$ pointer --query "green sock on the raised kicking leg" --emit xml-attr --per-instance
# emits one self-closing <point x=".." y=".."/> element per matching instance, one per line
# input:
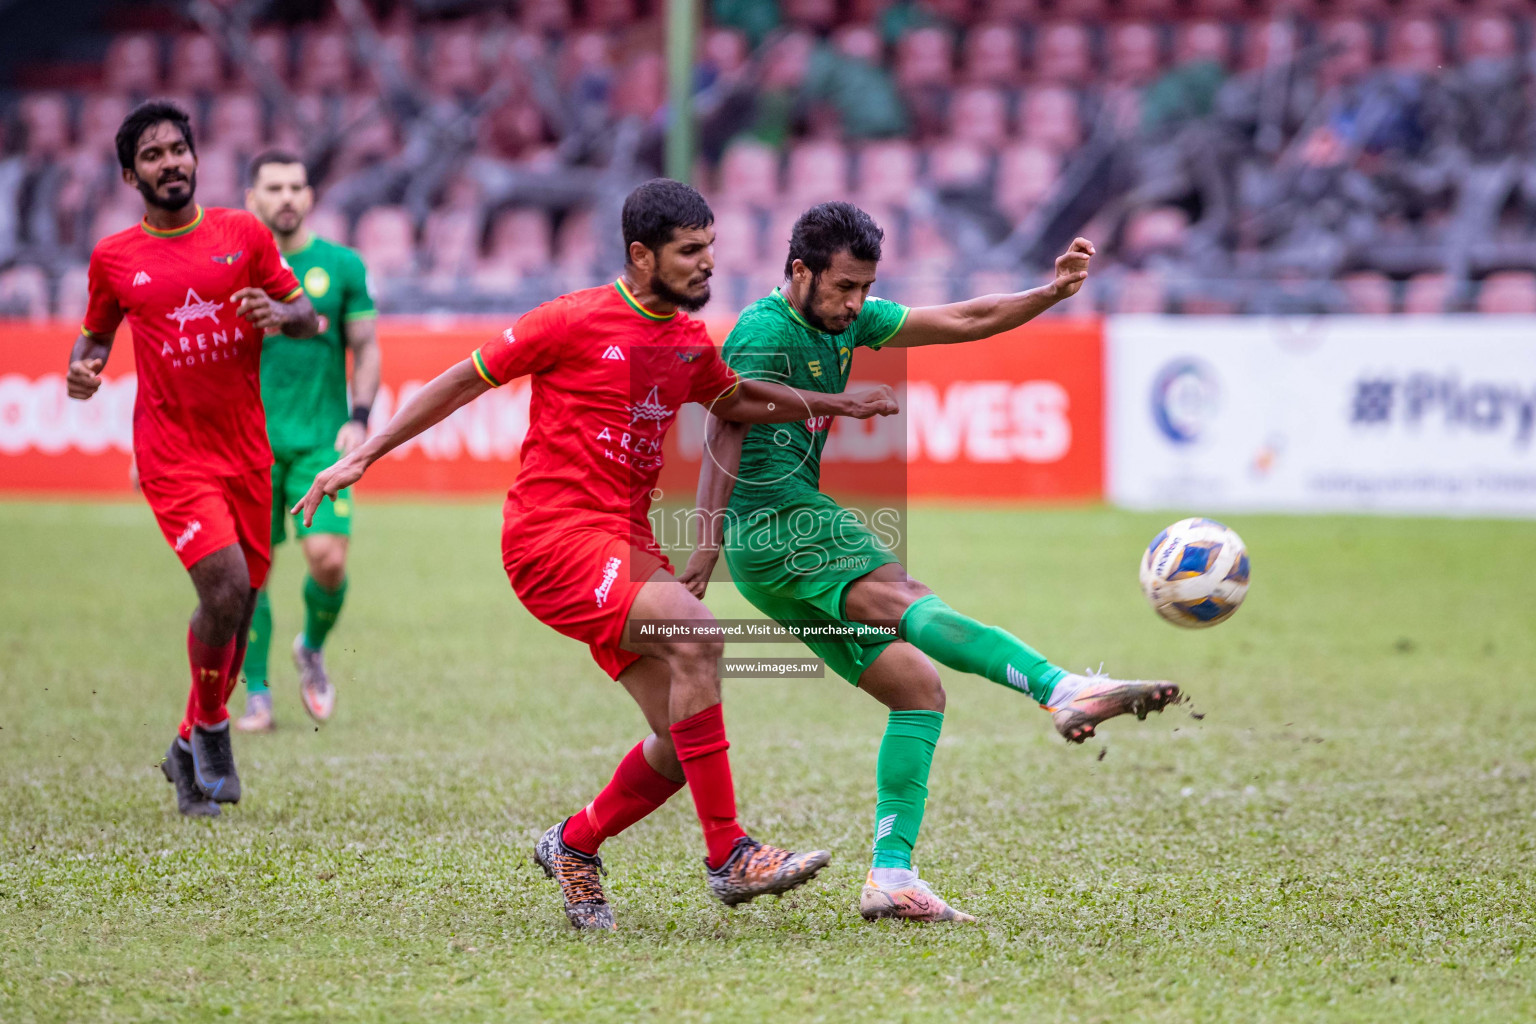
<point x="970" y="647"/>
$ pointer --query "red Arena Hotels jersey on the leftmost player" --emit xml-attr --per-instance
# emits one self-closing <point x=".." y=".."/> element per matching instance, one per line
<point x="199" y="400"/>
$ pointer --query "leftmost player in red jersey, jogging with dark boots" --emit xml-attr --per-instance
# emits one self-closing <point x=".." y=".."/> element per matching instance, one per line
<point x="199" y="288"/>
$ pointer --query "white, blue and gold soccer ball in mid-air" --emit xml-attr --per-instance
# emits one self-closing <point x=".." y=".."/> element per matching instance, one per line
<point x="1196" y="573"/>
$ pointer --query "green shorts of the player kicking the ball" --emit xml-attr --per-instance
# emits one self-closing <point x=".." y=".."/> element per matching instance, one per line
<point x="795" y="563"/>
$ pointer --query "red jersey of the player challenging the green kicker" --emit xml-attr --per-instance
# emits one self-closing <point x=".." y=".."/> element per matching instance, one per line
<point x="609" y="377"/>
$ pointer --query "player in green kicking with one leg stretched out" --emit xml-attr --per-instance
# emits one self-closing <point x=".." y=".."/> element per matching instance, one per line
<point x="798" y="555"/>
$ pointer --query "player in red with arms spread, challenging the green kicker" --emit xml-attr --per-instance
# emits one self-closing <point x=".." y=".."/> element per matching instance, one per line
<point x="611" y="369"/>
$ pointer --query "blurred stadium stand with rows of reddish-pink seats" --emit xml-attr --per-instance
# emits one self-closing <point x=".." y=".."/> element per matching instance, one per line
<point x="1226" y="156"/>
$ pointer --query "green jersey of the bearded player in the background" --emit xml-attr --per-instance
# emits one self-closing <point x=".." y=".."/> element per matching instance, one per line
<point x="305" y="380"/>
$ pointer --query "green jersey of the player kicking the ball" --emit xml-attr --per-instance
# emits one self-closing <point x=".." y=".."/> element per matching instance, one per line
<point x="770" y="342"/>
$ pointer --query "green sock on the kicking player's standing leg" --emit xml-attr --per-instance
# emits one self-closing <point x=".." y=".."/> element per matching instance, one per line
<point x="901" y="784"/>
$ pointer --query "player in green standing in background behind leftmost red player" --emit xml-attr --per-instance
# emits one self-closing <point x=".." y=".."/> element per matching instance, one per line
<point x="310" y="421"/>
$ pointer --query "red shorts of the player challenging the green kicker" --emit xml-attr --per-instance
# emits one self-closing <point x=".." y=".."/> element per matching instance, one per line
<point x="581" y="580"/>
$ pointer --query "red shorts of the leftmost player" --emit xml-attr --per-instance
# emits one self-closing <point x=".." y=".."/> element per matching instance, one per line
<point x="202" y="515"/>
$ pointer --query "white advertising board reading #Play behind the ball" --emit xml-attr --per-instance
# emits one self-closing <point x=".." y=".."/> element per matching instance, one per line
<point x="1342" y="414"/>
